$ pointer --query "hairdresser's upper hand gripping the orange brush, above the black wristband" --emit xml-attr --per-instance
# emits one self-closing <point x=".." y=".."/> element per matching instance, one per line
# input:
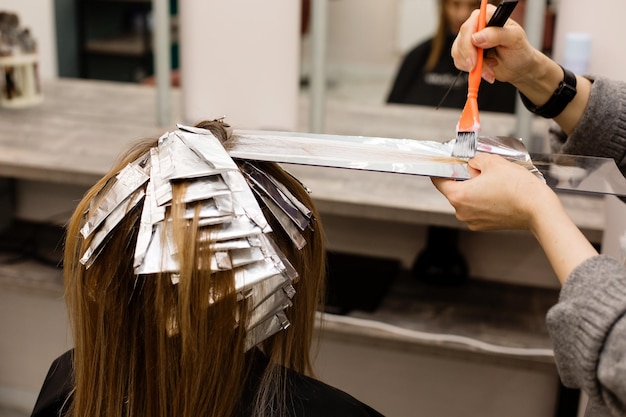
<point x="512" y="59"/>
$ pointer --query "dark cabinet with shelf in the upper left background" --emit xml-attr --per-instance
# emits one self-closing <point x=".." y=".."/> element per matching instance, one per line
<point x="115" y="39"/>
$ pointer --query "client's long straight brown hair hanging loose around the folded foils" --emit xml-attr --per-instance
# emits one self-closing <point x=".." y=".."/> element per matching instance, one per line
<point x="147" y="348"/>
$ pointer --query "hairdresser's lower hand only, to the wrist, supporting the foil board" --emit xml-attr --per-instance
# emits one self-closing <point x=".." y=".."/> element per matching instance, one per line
<point x="500" y="195"/>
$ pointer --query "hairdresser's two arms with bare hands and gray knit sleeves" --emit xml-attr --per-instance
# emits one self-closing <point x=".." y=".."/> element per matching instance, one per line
<point x="588" y="324"/>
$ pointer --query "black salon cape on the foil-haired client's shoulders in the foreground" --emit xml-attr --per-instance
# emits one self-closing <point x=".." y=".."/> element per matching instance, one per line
<point x="309" y="397"/>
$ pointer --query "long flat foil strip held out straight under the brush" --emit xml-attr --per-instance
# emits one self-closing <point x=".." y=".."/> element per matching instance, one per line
<point x="403" y="156"/>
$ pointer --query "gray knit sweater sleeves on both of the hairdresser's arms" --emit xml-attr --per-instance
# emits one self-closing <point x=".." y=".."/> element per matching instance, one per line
<point x="588" y="324"/>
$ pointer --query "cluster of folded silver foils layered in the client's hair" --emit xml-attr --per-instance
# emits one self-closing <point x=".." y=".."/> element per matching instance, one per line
<point x="222" y="197"/>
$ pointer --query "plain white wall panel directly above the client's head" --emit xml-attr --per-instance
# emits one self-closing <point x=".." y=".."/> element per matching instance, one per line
<point x="242" y="62"/>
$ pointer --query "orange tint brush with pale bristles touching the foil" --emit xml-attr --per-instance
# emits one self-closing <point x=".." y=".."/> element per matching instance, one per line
<point x="469" y="125"/>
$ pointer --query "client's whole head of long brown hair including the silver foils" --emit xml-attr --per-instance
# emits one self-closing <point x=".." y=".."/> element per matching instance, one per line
<point x="179" y="261"/>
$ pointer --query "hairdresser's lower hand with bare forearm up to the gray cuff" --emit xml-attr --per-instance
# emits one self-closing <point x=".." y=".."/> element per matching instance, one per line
<point x="503" y="195"/>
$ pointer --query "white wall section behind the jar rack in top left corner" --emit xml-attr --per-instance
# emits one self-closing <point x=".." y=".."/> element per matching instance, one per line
<point x="38" y="16"/>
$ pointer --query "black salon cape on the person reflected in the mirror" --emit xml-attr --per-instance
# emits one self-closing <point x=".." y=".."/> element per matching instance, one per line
<point x="414" y="86"/>
